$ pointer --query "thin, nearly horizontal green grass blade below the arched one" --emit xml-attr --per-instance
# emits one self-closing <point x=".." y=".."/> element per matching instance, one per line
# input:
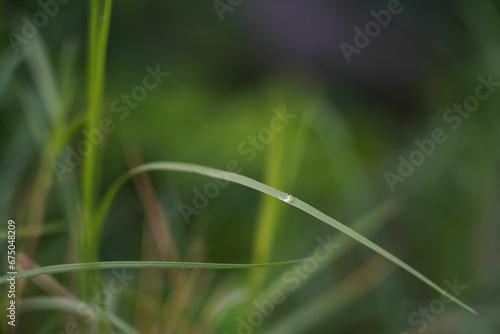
<point x="72" y="267"/>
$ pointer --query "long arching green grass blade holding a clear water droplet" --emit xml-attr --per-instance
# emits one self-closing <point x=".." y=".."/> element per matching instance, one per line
<point x="250" y="183"/>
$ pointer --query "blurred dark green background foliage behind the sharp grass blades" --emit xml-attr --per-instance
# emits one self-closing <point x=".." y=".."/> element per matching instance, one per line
<point x="226" y="78"/>
